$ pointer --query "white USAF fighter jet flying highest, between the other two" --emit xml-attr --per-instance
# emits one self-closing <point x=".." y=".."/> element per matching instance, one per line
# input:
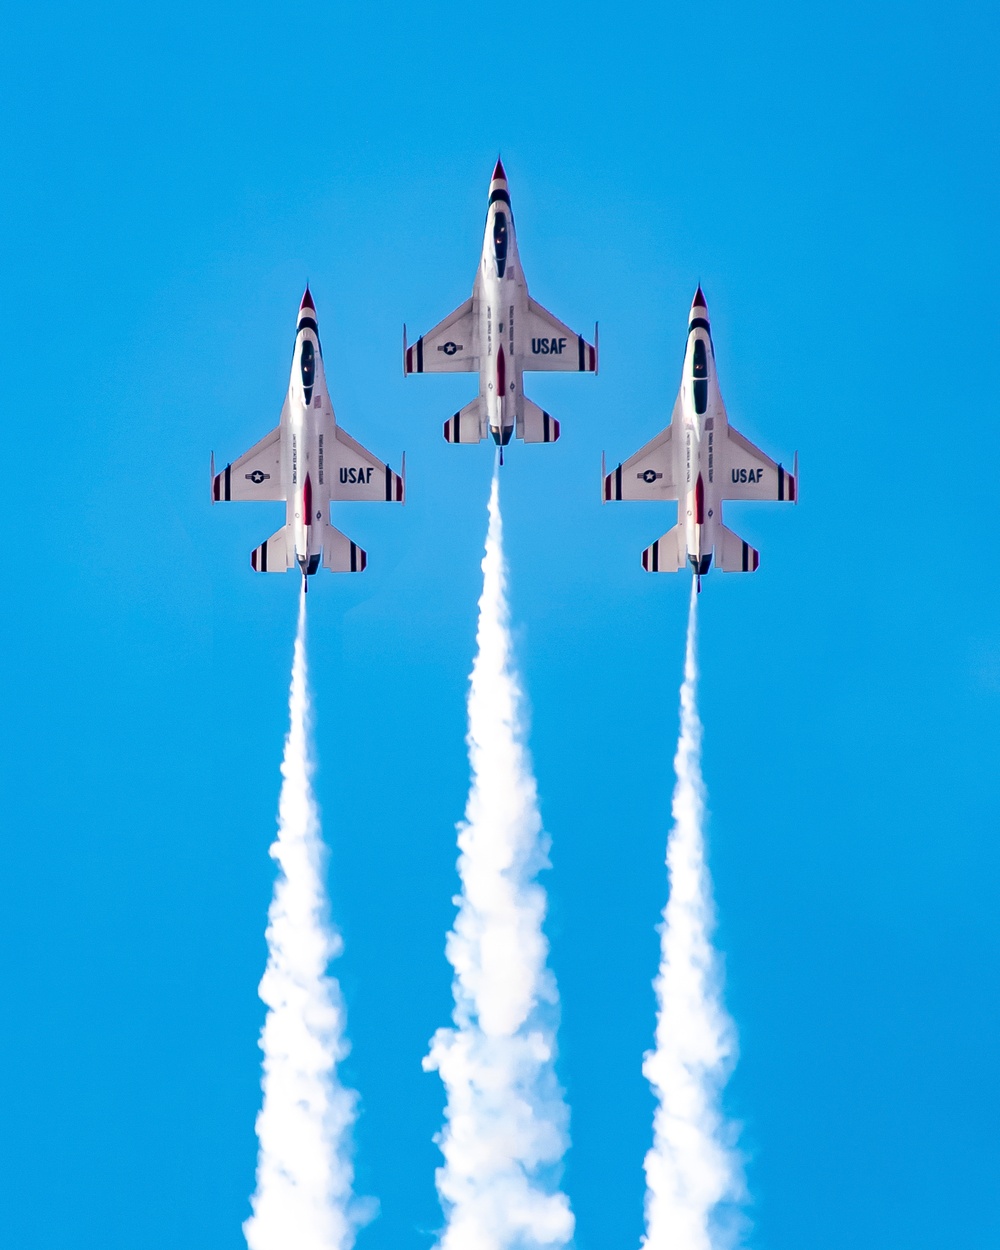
<point x="501" y="332"/>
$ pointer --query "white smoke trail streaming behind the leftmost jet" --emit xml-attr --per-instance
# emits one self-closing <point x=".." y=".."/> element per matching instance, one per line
<point x="304" y="1167"/>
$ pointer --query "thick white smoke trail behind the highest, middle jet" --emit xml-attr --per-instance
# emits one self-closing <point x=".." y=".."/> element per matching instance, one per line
<point x="506" y="1118"/>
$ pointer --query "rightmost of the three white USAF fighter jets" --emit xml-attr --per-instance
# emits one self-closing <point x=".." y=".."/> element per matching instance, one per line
<point x="701" y="461"/>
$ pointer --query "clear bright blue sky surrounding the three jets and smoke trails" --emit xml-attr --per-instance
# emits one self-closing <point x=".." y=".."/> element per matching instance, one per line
<point x="172" y="176"/>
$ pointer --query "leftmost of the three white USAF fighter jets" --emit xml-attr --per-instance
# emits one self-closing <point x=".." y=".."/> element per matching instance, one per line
<point x="307" y="462"/>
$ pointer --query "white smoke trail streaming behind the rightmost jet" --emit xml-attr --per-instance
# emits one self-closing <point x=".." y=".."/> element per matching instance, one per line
<point x="694" y="1174"/>
